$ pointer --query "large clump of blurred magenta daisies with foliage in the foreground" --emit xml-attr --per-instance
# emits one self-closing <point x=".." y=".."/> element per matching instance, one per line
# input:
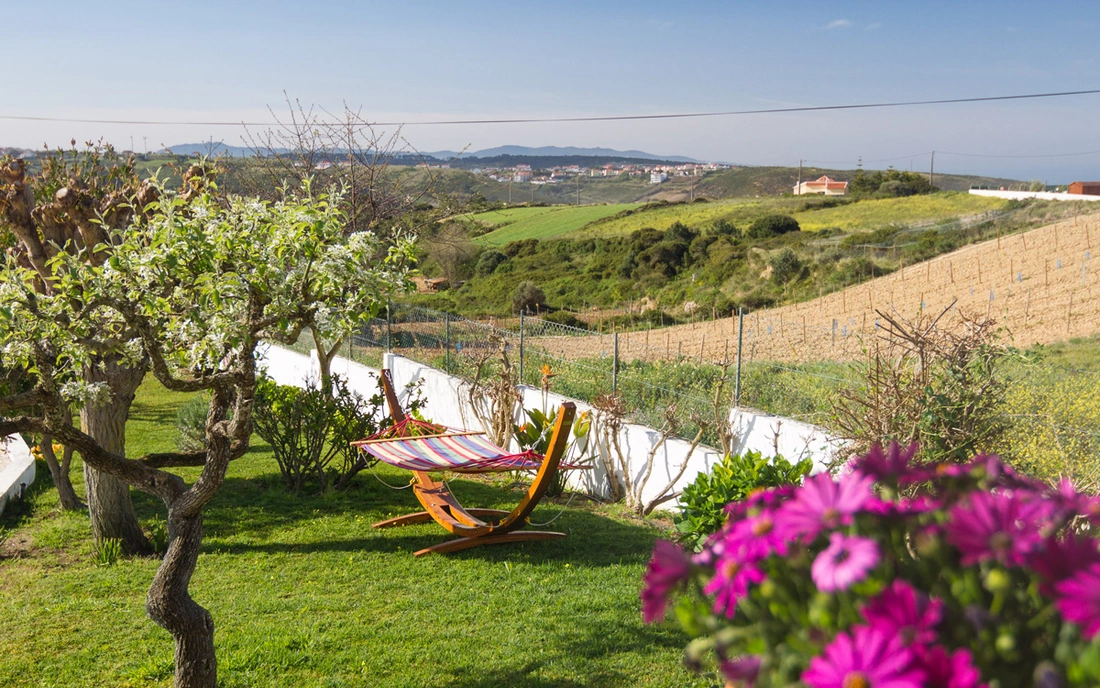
<point x="895" y="576"/>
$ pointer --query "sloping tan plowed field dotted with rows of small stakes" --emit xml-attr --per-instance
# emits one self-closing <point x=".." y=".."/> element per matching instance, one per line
<point x="1042" y="286"/>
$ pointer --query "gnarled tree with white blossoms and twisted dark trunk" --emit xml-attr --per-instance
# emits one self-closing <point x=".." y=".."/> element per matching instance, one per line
<point x="194" y="286"/>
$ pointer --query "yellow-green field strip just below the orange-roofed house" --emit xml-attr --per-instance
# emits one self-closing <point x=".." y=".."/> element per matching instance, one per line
<point x="868" y="215"/>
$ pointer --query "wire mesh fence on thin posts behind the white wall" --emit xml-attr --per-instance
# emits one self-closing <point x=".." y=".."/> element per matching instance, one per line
<point x="695" y="380"/>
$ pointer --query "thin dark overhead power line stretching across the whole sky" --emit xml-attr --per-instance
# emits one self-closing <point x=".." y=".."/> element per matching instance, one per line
<point x="613" y="118"/>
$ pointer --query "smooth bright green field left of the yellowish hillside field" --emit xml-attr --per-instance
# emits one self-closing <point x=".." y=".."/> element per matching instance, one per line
<point x="542" y="223"/>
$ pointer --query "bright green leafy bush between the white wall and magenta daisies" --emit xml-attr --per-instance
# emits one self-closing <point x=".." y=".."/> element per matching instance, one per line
<point x="703" y="503"/>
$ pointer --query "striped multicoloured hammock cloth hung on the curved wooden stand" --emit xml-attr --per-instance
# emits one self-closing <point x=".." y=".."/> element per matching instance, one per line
<point x="419" y="446"/>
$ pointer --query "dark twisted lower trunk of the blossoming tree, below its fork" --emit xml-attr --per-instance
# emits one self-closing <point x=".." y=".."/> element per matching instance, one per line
<point x="171" y="606"/>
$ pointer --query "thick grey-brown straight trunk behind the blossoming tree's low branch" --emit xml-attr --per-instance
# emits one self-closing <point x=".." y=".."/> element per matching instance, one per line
<point x="109" y="505"/>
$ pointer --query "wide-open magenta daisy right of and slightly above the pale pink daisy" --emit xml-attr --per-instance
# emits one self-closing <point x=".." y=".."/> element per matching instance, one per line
<point x="1005" y="527"/>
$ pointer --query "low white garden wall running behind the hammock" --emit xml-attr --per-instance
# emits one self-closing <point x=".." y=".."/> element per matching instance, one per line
<point x="446" y="405"/>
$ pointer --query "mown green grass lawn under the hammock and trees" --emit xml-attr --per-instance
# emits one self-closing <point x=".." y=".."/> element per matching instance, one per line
<point x="304" y="593"/>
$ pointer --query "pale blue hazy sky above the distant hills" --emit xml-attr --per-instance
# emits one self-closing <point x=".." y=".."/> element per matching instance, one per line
<point x="419" y="61"/>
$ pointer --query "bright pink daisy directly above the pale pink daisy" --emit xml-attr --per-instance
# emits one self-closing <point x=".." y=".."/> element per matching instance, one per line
<point x="823" y="504"/>
